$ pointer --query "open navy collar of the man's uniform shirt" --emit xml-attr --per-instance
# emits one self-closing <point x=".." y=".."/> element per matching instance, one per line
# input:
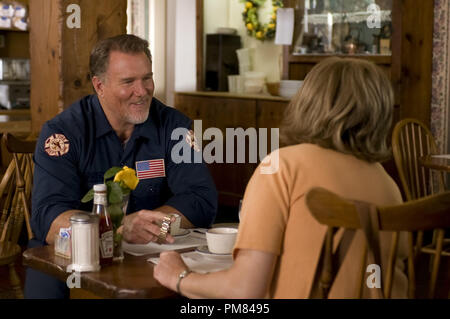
<point x="146" y="129"/>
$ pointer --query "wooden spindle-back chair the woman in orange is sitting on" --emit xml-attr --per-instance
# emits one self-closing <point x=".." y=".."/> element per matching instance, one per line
<point x="429" y="213"/>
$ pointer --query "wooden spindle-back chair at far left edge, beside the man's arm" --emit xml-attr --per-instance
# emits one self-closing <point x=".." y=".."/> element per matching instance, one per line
<point x="15" y="195"/>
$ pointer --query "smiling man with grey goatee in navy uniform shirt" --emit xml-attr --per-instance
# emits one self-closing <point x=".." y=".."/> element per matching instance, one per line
<point x="122" y="125"/>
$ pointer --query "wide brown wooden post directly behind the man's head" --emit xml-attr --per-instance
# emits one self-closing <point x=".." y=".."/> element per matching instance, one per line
<point x="60" y="55"/>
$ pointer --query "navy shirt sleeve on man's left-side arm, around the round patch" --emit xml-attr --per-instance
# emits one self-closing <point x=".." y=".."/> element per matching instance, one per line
<point x="56" y="186"/>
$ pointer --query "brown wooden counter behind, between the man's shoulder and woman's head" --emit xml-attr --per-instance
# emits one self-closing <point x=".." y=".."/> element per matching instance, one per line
<point x="224" y="110"/>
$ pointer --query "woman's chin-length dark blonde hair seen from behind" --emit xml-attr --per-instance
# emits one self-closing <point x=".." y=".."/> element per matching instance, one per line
<point x="345" y="105"/>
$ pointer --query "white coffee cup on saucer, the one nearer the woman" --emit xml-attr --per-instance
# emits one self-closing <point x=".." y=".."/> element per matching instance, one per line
<point x="221" y="240"/>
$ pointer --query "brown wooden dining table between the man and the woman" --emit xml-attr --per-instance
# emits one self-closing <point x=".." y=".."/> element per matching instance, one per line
<point x="130" y="278"/>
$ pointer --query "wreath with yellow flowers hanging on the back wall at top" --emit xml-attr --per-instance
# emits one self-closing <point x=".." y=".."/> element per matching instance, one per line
<point x="254" y="27"/>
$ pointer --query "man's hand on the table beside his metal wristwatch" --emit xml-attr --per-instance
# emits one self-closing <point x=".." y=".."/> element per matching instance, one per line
<point x="143" y="227"/>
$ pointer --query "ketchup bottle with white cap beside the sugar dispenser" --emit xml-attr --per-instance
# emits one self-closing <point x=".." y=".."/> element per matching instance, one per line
<point x="105" y="225"/>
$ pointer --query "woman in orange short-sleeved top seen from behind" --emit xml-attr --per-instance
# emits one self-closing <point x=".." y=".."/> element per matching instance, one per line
<point x="337" y="126"/>
